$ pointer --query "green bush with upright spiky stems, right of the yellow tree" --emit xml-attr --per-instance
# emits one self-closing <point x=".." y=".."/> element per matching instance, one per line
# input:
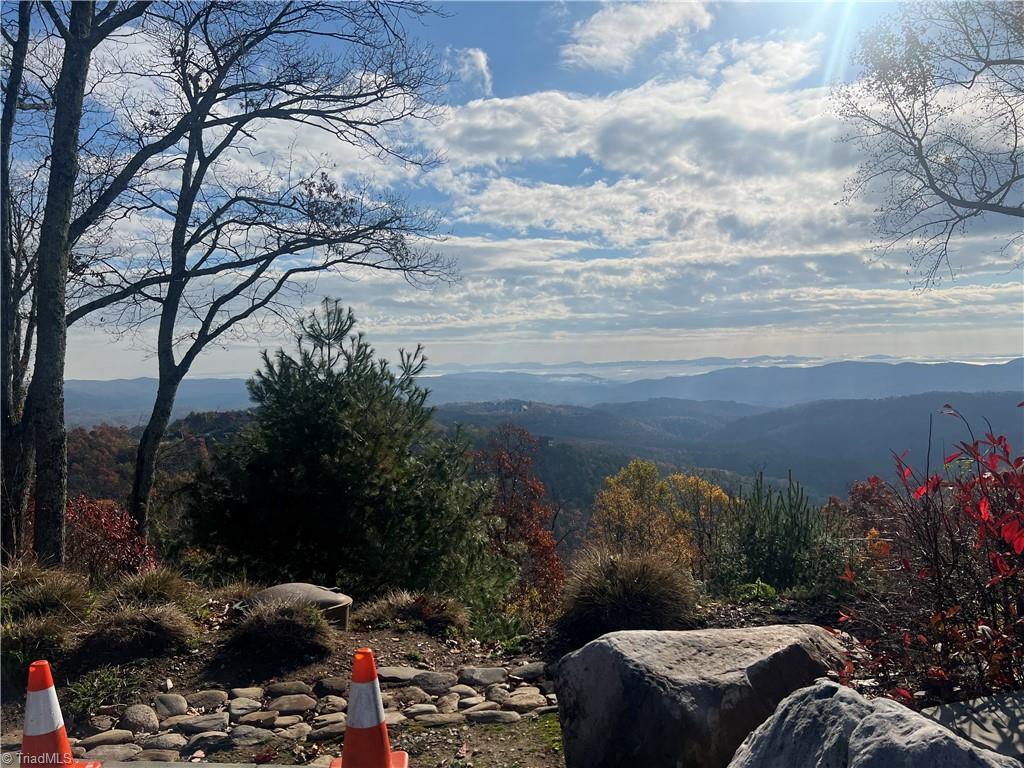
<point x="782" y="539"/>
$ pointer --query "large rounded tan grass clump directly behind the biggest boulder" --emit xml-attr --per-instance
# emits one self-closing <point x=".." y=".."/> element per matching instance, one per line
<point x="608" y="591"/>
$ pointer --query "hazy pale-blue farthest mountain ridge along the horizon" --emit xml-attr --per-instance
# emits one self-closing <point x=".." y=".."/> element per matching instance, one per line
<point x="127" y="402"/>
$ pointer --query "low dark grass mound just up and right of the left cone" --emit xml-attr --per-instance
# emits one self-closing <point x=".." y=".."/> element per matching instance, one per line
<point x="139" y="633"/>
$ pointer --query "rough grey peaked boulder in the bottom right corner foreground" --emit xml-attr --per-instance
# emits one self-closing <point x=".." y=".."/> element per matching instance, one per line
<point x="830" y="726"/>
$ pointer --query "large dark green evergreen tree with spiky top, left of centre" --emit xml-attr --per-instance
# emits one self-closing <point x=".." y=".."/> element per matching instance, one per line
<point x="342" y="479"/>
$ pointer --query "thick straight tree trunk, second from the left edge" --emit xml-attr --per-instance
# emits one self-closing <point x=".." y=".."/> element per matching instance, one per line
<point x="47" y="391"/>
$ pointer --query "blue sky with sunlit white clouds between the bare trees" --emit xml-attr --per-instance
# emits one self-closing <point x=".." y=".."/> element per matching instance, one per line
<point x="642" y="182"/>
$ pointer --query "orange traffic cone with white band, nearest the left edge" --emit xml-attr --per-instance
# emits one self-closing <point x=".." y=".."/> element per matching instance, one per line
<point x="45" y="741"/>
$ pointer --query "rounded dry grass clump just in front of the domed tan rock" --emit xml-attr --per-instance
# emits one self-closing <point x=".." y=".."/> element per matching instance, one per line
<point x="288" y="632"/>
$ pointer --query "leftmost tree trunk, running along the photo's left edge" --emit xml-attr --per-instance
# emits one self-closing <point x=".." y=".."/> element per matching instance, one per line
<point x="15" y="491"/>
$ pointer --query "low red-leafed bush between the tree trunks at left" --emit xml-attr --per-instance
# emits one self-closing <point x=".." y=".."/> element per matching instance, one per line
<point x="104" y="541"/>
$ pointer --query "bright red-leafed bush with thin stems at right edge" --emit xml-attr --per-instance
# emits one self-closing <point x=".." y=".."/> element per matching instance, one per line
<point x="945" y="612"/>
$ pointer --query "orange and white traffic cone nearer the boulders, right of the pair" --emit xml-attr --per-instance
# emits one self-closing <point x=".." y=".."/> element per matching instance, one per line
<point x="367" y="745"/>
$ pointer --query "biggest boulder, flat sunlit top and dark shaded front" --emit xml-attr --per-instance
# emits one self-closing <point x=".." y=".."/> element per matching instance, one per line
<point x="682" y="700"/>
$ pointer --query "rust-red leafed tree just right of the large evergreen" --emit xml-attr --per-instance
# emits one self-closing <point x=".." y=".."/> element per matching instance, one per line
<point x="525" y="517"/>
